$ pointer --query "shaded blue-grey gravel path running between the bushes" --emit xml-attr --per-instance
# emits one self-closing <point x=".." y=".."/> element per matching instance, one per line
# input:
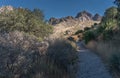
<point x="90" y="65"/>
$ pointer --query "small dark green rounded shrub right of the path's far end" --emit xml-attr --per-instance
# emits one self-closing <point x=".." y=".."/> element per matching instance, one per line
<point x="89" y="35"/>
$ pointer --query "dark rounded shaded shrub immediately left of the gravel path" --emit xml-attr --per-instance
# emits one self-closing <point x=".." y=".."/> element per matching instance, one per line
<point x="61" y="54"/>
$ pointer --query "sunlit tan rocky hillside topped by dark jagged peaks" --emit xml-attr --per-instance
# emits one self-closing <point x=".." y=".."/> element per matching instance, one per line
<point x="80" y="21"/>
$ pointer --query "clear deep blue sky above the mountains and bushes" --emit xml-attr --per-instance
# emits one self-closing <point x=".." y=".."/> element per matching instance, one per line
<point x="62" y="8"/>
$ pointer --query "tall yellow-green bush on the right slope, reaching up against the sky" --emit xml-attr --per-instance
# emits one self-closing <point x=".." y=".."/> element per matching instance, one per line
<point x="108" y="24"/>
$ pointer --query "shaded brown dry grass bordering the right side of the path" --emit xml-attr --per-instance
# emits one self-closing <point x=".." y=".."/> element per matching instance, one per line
<point x="109" y="52"/>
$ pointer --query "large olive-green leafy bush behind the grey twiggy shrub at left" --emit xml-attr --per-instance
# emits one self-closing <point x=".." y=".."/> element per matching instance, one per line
<point x="25" y="20"/>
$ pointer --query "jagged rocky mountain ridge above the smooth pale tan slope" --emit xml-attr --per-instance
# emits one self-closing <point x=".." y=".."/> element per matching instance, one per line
<point x="80" y="17"/>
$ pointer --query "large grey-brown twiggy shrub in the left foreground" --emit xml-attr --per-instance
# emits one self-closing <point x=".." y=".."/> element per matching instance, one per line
<point x="19" y="53"/>
